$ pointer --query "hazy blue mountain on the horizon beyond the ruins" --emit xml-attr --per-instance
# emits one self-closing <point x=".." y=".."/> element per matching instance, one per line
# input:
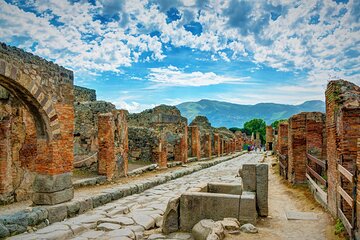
<point x="235" y="115"/>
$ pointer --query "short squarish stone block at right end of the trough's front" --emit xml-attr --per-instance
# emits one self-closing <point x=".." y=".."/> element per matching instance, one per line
<point x="247" y="211"/>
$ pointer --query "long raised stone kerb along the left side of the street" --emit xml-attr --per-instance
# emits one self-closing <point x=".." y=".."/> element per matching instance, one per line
<point x="33" y="218"/>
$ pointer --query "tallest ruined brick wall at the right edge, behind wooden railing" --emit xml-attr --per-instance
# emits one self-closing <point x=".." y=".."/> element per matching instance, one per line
<point x="342" y="128"/>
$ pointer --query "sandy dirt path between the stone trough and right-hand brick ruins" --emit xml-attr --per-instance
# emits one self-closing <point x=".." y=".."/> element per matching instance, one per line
<point x="284" y="197"/>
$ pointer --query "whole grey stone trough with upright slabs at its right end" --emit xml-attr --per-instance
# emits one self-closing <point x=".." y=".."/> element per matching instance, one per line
<point x="245" y="198"/>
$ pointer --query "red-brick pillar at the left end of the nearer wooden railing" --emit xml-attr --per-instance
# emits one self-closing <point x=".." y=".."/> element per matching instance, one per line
<point x="297" y="149"/>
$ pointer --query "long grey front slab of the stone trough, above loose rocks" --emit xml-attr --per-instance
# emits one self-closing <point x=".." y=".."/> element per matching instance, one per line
<point x="195" y="206"/>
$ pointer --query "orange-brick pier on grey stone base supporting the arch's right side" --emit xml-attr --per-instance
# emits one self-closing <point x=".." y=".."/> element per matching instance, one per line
<point x="55" y="158"/>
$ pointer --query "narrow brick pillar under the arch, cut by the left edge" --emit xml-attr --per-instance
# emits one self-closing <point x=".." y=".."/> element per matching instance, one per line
<point x="5" y="160"/>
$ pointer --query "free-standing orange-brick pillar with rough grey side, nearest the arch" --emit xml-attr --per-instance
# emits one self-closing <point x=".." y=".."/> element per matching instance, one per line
<point x="113" y="144"/>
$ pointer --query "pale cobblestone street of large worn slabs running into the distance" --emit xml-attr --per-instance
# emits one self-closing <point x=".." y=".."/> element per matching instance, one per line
<point x="130" y="217"/>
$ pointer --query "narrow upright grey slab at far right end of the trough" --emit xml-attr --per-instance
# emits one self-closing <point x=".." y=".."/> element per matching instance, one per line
<point x="262" y="171"/>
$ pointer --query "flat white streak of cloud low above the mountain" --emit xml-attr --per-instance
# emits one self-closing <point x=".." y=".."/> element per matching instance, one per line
<point x="172" y="76"/>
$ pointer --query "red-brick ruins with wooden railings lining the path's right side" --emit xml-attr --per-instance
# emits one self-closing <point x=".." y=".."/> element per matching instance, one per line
<point x="323" y="151"/>
